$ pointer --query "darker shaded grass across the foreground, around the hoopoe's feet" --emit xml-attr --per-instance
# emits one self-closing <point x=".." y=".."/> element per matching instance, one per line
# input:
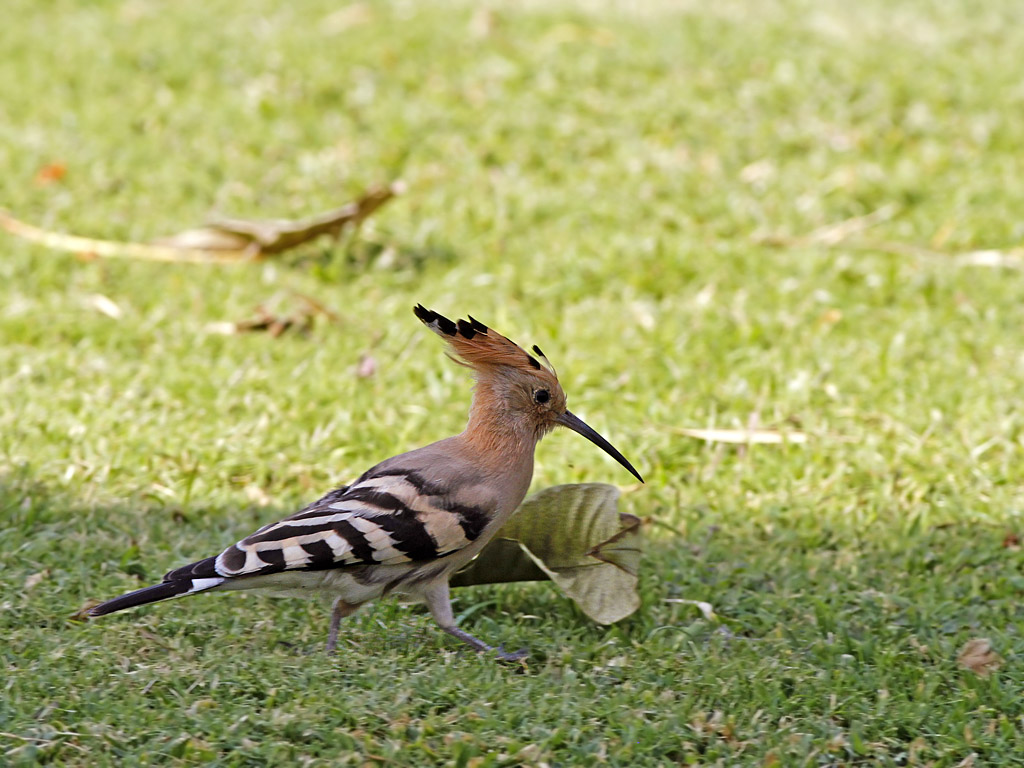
<point x="813" y="638"/>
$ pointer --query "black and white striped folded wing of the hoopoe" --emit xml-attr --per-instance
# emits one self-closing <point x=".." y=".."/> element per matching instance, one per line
<point x="383" y="519"/>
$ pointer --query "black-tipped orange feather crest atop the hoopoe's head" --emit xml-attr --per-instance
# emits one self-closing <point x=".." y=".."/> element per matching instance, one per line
<point x="481" y="348"/>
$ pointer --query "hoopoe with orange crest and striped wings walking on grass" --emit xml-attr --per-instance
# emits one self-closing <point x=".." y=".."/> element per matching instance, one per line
<point x="406" y="526"/>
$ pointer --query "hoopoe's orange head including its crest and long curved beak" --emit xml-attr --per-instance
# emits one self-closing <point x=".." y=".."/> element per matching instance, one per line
<point x="514" y="386"/>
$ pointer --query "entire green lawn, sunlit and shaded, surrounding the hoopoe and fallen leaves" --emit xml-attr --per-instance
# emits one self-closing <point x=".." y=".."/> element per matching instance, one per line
<point x="589" y="178"/>
